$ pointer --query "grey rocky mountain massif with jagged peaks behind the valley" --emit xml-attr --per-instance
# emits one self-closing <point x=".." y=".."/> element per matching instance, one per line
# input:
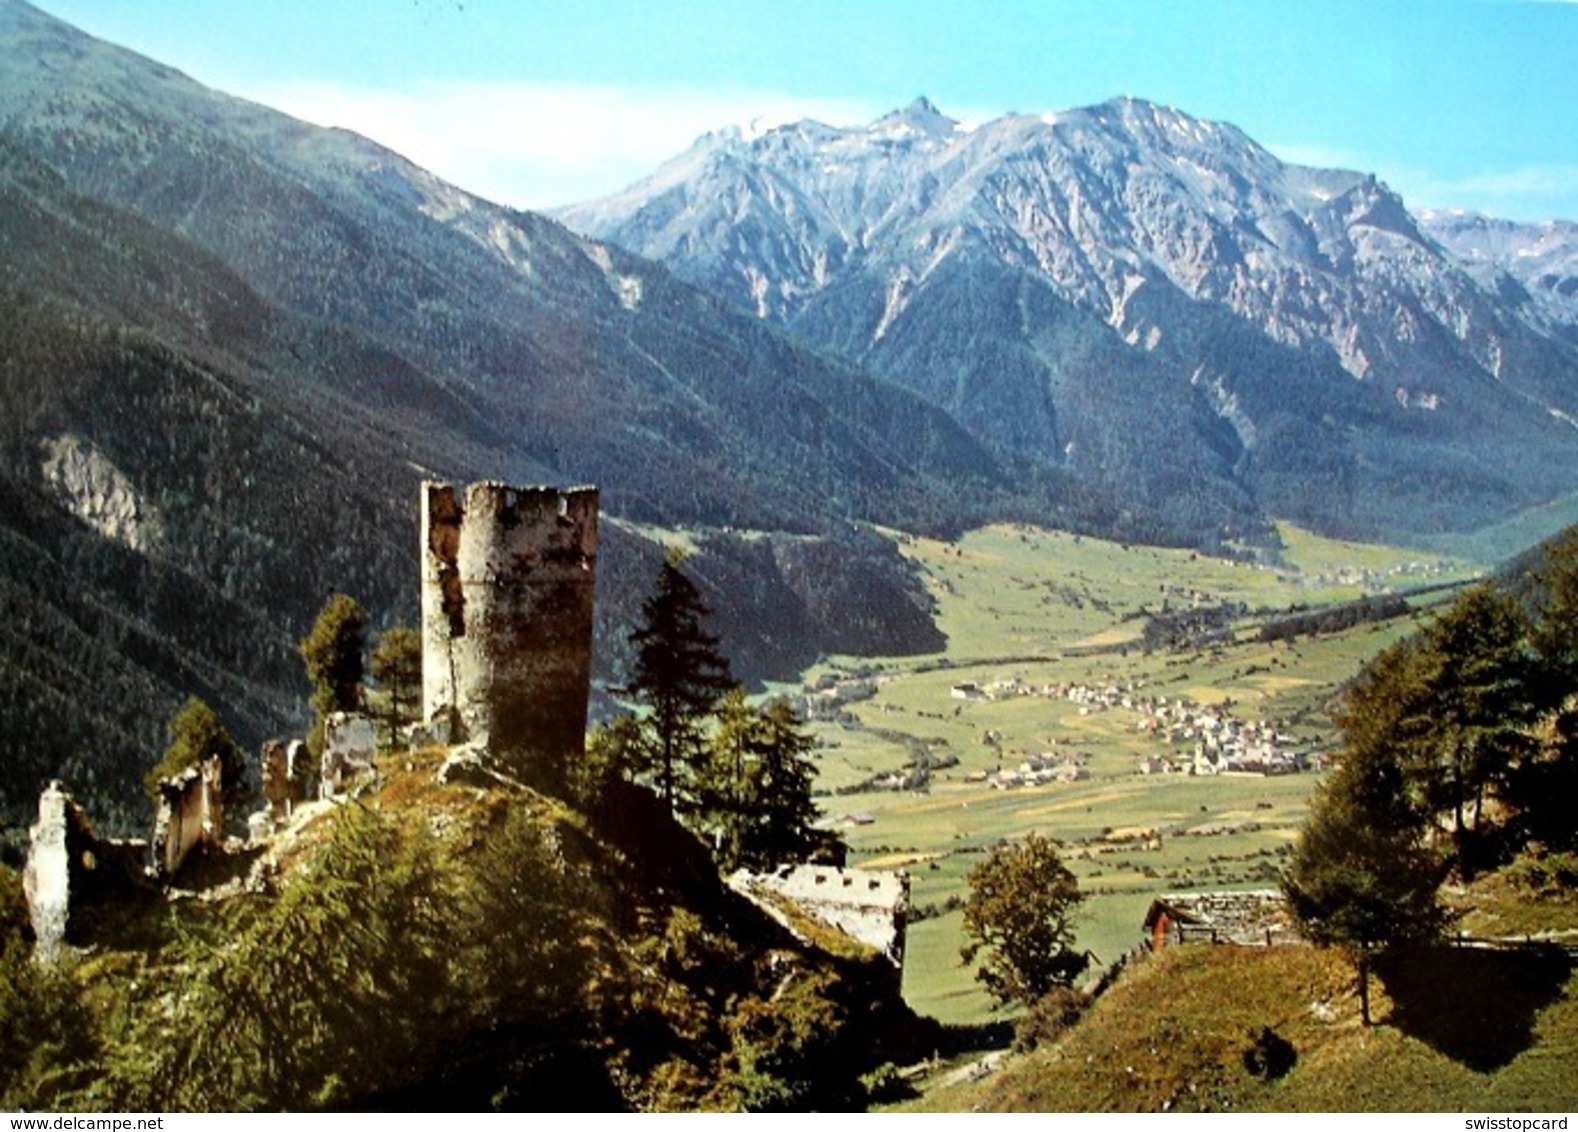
<point x="1063" y="282"/>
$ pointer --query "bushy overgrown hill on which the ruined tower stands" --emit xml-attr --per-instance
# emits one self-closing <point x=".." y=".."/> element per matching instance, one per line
<point x="447" y="948"/>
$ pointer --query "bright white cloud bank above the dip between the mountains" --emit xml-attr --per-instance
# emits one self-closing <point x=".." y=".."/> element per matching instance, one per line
<point x="536" y="146"/>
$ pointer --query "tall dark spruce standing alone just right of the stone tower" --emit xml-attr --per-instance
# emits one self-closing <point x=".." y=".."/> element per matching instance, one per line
<point x="679" y="675"/>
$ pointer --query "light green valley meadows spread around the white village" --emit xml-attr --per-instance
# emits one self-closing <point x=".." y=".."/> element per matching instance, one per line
<point x="1030" y="612"/>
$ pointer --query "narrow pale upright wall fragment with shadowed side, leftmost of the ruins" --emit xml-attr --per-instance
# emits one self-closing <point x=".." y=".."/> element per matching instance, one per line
<point x="69" y="866"/>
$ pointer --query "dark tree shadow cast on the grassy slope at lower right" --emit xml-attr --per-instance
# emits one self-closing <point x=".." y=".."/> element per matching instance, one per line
<point x="1475" y="1006"/>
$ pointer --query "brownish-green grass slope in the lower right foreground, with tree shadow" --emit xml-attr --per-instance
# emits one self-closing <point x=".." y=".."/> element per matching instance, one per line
<point x="1173" y="1036"/>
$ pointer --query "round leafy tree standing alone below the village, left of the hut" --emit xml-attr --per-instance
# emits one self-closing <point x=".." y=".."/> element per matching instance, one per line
<point x="1020" y="921"/>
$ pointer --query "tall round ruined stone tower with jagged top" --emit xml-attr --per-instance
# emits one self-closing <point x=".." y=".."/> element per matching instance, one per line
<point x="507" y="587"/>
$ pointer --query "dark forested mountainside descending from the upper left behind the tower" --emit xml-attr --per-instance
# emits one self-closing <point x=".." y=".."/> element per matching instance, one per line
<point x="234" y="345"/>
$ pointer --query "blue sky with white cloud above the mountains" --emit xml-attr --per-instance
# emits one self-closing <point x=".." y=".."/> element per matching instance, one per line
<point x="1454" y="103"/>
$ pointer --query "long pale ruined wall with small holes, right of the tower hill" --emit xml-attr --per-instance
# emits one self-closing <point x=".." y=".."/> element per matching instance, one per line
<point x="869" y="905"/>
